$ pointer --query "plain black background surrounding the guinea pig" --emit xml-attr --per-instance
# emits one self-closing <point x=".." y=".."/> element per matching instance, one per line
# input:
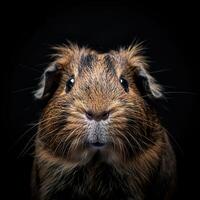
<point x="169" y="33"/>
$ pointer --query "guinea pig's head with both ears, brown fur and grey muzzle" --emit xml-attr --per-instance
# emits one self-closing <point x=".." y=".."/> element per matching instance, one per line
<point x="96" y="103"/>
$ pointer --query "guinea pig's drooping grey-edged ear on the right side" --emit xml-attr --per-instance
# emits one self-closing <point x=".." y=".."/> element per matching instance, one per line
<point x="147" y="85"/>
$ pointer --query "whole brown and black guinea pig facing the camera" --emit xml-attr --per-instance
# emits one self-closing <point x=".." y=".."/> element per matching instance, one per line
<point x="99" y="136"/>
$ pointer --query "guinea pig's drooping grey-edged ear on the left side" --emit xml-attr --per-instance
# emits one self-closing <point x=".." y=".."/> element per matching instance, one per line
<point x="49" y="82"/>
